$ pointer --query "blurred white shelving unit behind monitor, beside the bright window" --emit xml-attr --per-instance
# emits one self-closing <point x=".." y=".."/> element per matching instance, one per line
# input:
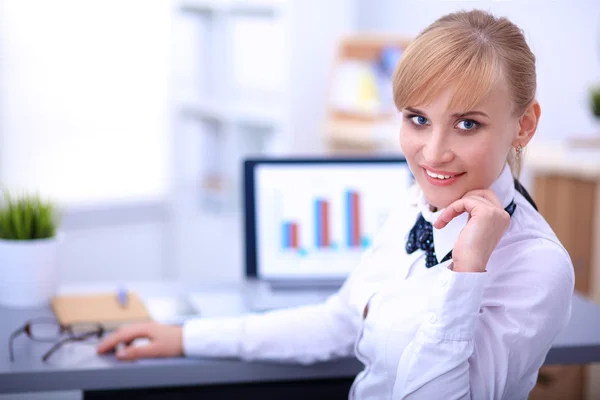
<point x="234" y="116"/>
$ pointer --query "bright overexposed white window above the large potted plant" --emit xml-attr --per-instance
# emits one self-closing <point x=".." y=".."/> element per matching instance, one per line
<point x="84" y="95"/>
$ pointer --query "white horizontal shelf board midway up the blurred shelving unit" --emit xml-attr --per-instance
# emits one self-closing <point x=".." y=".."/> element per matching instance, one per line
<point x="247" y="112"/>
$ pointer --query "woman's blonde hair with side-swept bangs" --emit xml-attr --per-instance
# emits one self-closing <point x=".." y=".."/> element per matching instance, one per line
<point x="473" y="50"/>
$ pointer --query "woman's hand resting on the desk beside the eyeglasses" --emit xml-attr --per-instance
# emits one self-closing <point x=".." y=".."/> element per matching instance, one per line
<point x="165" y="341"/>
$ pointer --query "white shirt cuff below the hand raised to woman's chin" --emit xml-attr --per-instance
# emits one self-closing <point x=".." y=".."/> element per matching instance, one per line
<point x="454" y="305"/>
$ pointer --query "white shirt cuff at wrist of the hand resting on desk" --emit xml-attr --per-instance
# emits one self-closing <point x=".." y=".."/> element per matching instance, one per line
<point x="213" y="337"/>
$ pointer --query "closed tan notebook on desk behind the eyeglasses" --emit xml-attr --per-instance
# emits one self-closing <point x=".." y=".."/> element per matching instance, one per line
<point x="100" y="308"/>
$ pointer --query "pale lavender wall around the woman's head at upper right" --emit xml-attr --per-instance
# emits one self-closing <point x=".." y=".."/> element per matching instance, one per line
<point x="563" y="34"/>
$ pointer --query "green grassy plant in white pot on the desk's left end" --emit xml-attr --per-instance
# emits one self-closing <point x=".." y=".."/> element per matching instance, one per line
<point x="28" y="250"/>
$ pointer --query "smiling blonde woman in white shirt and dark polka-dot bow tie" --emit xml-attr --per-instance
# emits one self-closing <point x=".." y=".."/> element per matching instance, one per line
<point x="465" y="302"/>
